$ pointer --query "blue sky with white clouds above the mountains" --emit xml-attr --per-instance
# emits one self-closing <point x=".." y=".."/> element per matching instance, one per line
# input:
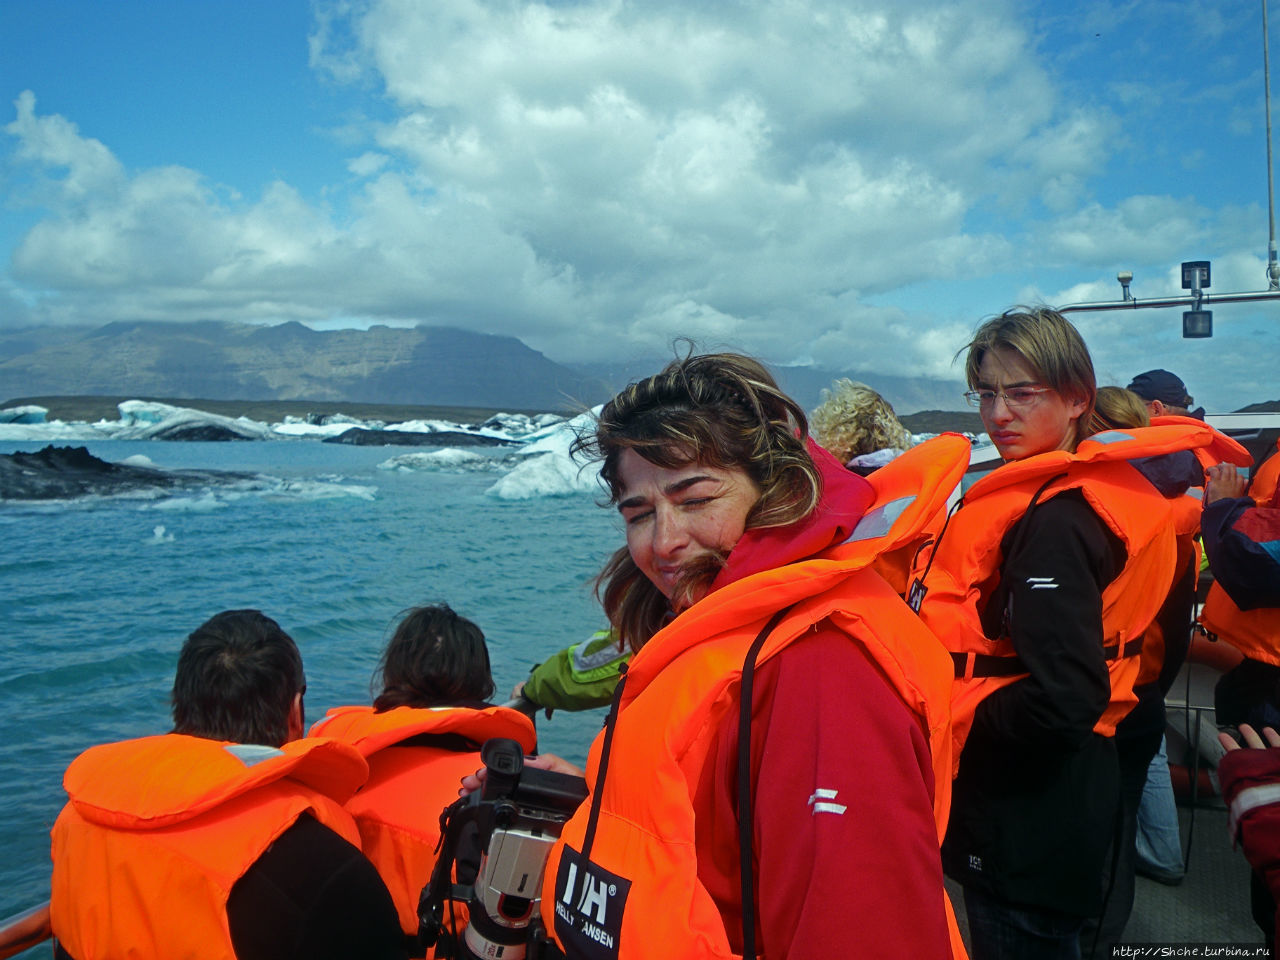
<point x="852" y="185"/>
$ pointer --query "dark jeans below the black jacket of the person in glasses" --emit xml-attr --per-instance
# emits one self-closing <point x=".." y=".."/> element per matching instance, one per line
<point x="1003" y="931"/>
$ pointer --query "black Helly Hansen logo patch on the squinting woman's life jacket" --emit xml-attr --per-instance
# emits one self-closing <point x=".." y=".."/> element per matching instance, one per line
<point x="589" y="907"/>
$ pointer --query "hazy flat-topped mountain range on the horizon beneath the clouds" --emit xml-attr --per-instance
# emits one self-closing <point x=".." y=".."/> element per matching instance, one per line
<point x="419" y="365"/>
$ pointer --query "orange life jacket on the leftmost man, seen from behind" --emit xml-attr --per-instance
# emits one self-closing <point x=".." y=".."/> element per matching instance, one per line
<point x="159" y="830"/>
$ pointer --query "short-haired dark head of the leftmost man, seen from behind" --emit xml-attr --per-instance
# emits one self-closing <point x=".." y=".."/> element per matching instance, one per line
<point x="240" y="678"/>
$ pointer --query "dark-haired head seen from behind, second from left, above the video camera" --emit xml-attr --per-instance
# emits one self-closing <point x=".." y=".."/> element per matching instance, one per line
<point x="436" y="659"/>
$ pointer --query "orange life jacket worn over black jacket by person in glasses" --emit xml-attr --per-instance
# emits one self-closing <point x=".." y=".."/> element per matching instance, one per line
<point x="962" y="570"/>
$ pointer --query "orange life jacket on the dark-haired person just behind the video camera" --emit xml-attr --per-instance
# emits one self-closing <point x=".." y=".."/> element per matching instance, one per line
<point x="399" y="810"/>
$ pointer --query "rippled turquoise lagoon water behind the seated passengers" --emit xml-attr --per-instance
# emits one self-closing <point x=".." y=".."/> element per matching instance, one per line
<point x="98" y="600"/>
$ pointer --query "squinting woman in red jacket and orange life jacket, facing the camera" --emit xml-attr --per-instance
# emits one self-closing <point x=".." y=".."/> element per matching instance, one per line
<point x="746" y="589"/>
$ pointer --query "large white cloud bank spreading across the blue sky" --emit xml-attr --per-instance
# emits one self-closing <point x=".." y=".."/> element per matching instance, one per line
<point x="600" y="177"/>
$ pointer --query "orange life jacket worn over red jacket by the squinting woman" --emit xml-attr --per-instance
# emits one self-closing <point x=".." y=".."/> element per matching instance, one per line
<point x="636" y="888"/>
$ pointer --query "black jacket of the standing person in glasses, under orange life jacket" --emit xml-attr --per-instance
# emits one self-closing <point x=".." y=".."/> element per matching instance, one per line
<point x="1036" y="801"/>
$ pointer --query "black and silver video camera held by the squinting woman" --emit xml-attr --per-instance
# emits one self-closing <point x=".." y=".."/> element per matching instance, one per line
<point x="510" y="828"/>
